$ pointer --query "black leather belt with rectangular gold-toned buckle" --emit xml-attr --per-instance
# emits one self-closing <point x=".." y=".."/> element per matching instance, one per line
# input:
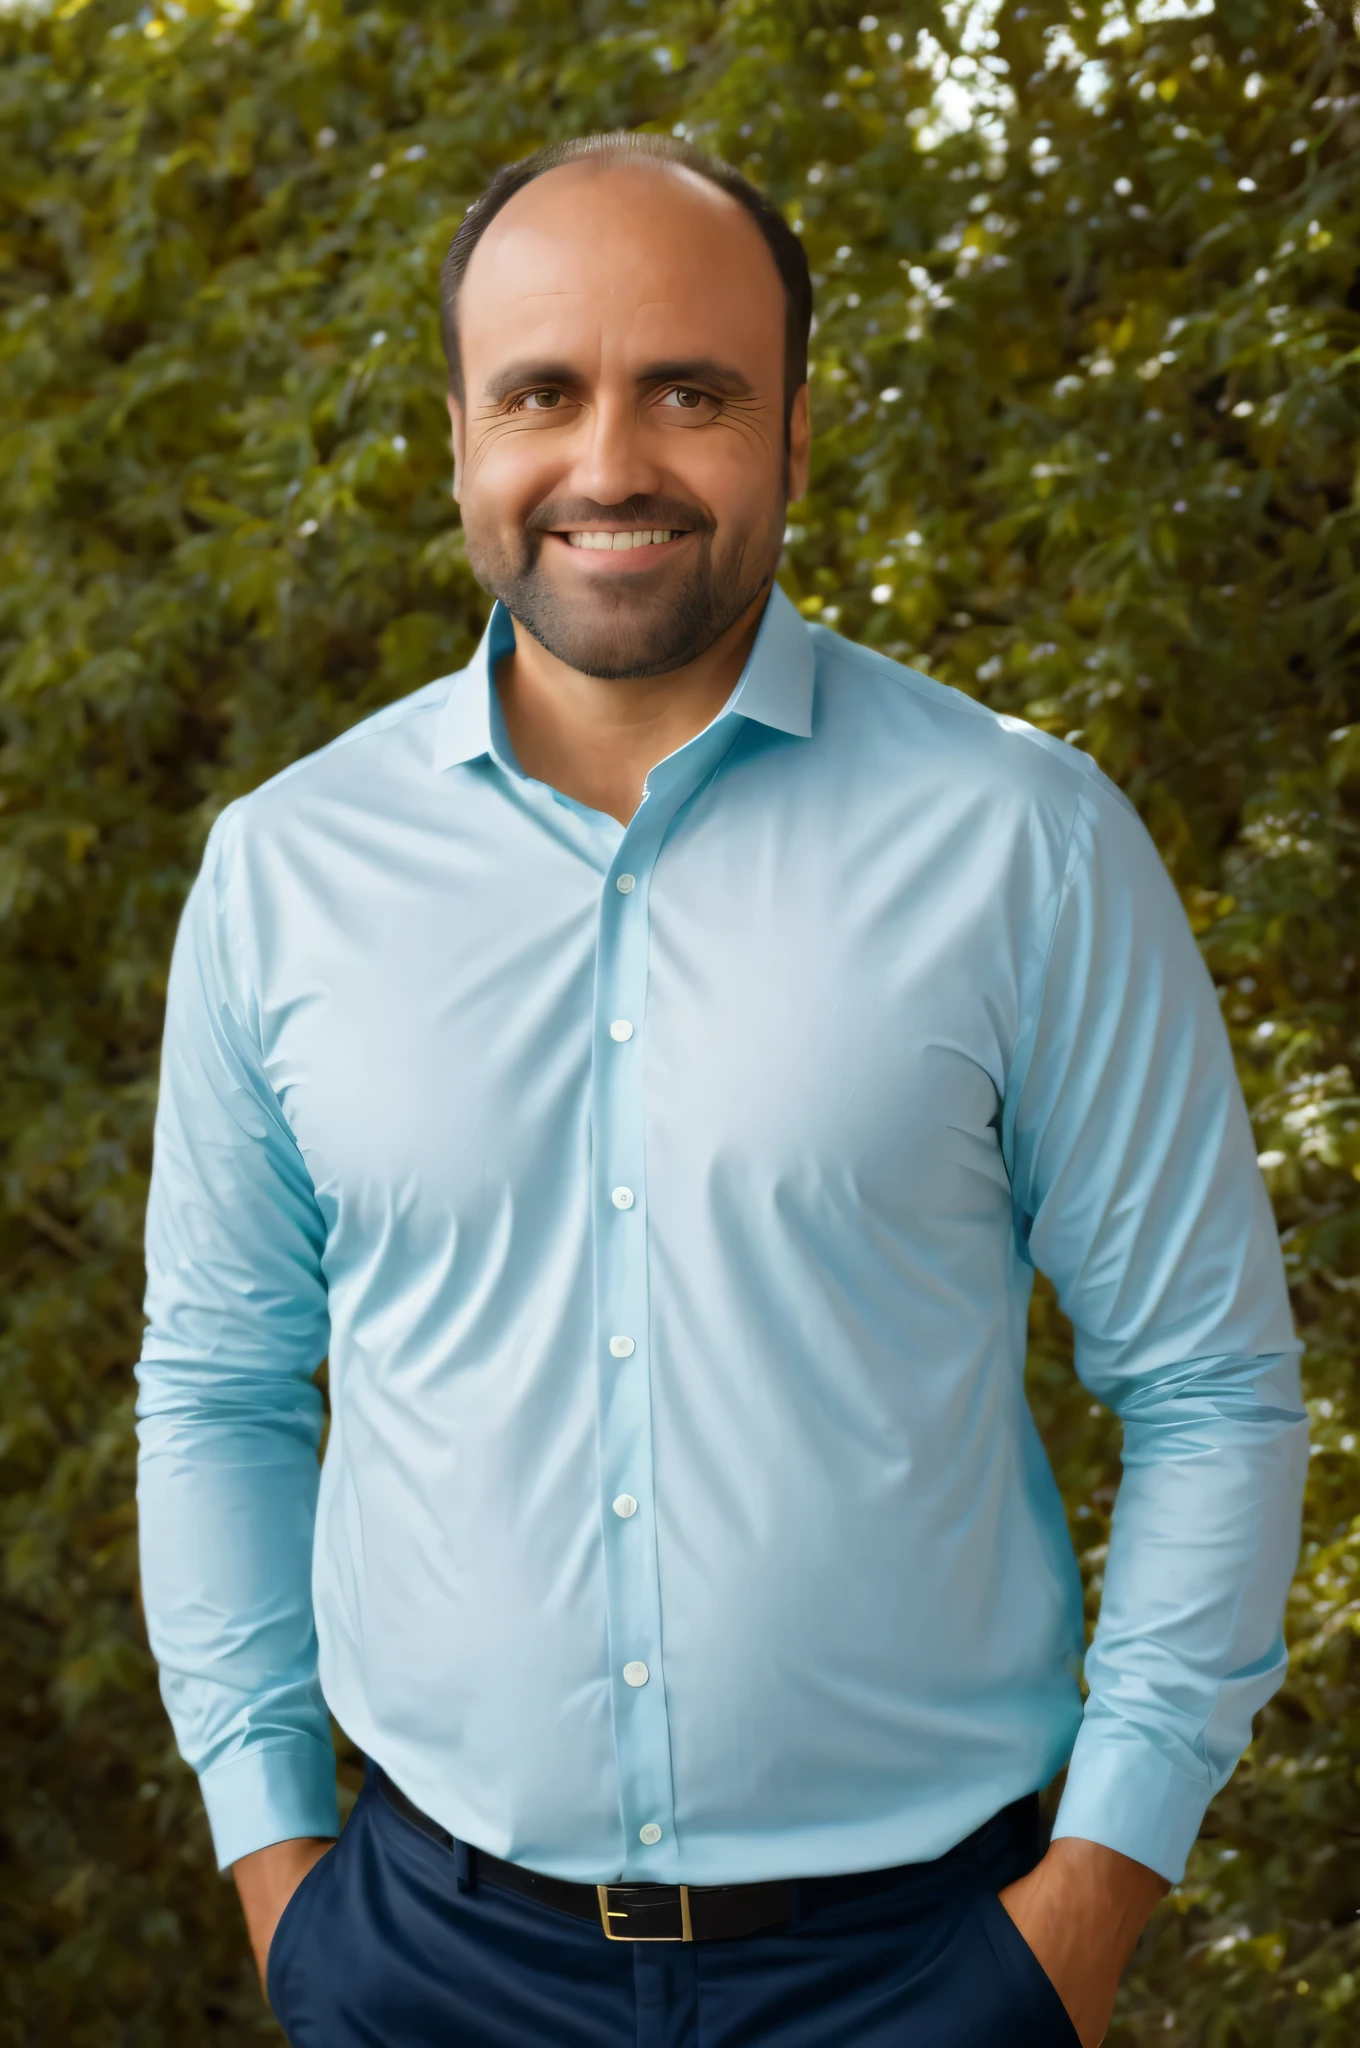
<point x="693" y="1912"/>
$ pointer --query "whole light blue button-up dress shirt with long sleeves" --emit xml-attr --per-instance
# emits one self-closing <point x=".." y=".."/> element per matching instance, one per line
<point x="667" y="1201"/>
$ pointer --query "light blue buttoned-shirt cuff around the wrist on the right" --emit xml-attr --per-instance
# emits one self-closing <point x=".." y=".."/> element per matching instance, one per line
<point x="1128" y="1795"/>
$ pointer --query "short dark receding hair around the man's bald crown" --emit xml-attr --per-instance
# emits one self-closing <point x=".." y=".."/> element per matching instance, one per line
<point x="622" y="148"/>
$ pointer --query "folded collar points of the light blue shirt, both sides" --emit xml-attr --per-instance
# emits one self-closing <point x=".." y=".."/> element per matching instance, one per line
<point x="775" y="687"/>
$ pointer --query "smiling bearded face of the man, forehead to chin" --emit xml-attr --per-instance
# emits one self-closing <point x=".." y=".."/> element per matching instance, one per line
<point x="622" y="456"/>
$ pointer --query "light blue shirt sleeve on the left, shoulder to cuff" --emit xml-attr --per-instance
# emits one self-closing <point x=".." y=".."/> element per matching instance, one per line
<point x="228" y="1418"/>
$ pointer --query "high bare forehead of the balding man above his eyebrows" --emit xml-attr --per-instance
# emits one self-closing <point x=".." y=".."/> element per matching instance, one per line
<point x="620" y="259"/>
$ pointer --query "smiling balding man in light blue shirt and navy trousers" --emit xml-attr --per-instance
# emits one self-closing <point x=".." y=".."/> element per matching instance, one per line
<point x="650" y="1064"/>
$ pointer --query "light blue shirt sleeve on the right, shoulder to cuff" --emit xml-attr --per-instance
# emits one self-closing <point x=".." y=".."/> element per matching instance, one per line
<point x="1136" y="1185"/>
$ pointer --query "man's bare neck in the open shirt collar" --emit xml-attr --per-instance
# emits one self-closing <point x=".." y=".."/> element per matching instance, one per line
<point x="599" y="740"/>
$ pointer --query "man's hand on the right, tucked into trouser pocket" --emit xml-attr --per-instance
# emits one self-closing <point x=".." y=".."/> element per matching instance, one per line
<point x="1082" y="1912"/>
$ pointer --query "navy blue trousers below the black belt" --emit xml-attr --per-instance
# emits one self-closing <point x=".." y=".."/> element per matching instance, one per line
<point x="380" y="1949"/>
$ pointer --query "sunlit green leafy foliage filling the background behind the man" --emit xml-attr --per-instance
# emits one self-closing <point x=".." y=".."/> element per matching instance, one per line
<point x="1087" y="390"/>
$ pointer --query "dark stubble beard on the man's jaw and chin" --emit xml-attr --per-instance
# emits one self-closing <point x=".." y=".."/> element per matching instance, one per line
<point x="618" y="632"/>
